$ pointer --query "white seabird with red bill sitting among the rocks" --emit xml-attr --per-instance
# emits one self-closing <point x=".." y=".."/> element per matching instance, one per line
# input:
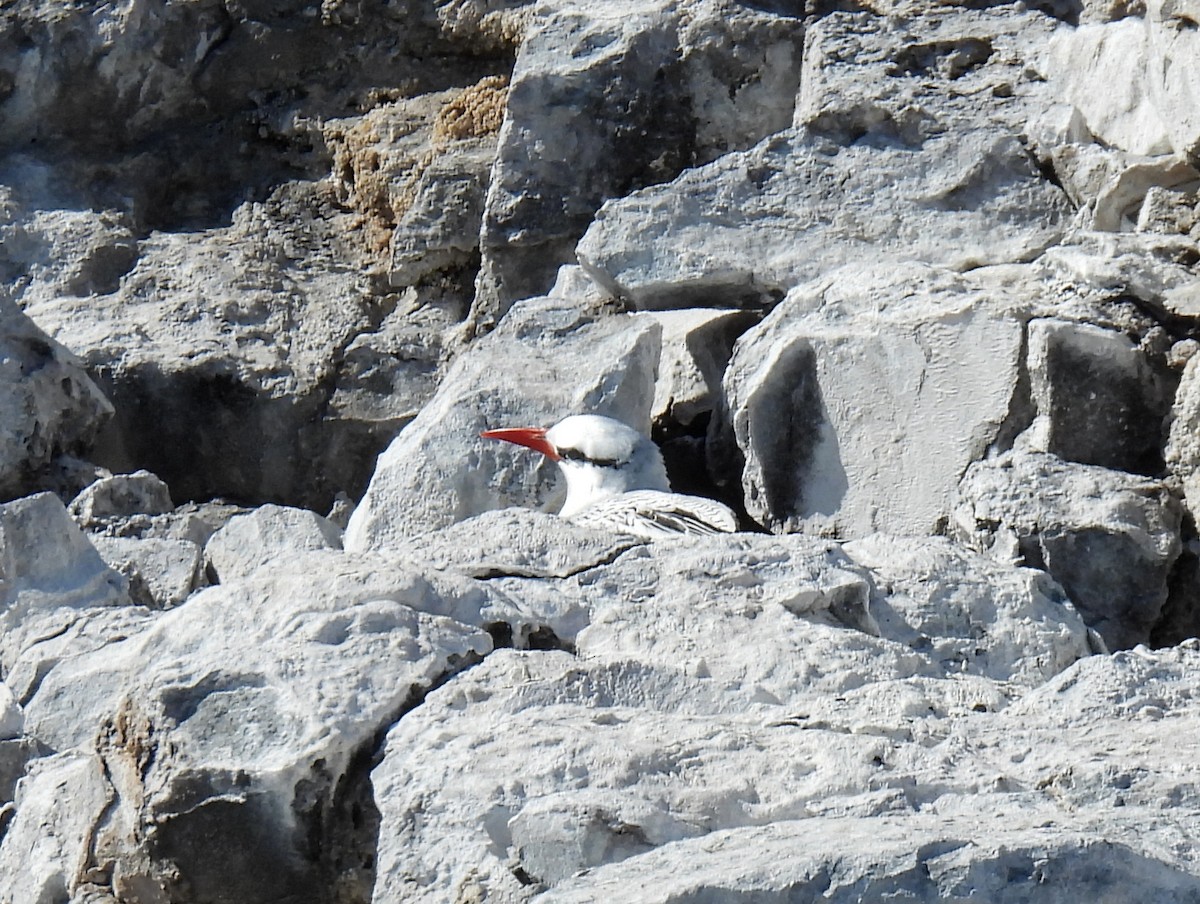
<point x="616" y="480"/>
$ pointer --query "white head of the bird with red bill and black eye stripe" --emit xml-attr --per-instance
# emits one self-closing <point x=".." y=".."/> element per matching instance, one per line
<point x="599" y="457"/>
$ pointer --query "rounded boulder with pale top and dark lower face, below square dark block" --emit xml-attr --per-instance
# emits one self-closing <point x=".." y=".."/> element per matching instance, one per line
<point x="1109" y="538"/>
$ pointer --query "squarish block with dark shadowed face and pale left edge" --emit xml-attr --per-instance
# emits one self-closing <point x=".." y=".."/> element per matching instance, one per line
<point x="1100" y="398"/>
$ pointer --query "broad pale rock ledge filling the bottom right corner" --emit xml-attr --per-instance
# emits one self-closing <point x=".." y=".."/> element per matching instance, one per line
<point x="659" y="806"/>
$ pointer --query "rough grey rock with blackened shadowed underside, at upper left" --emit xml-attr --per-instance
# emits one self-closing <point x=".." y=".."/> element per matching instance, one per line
<point x="235" y="393"/>
